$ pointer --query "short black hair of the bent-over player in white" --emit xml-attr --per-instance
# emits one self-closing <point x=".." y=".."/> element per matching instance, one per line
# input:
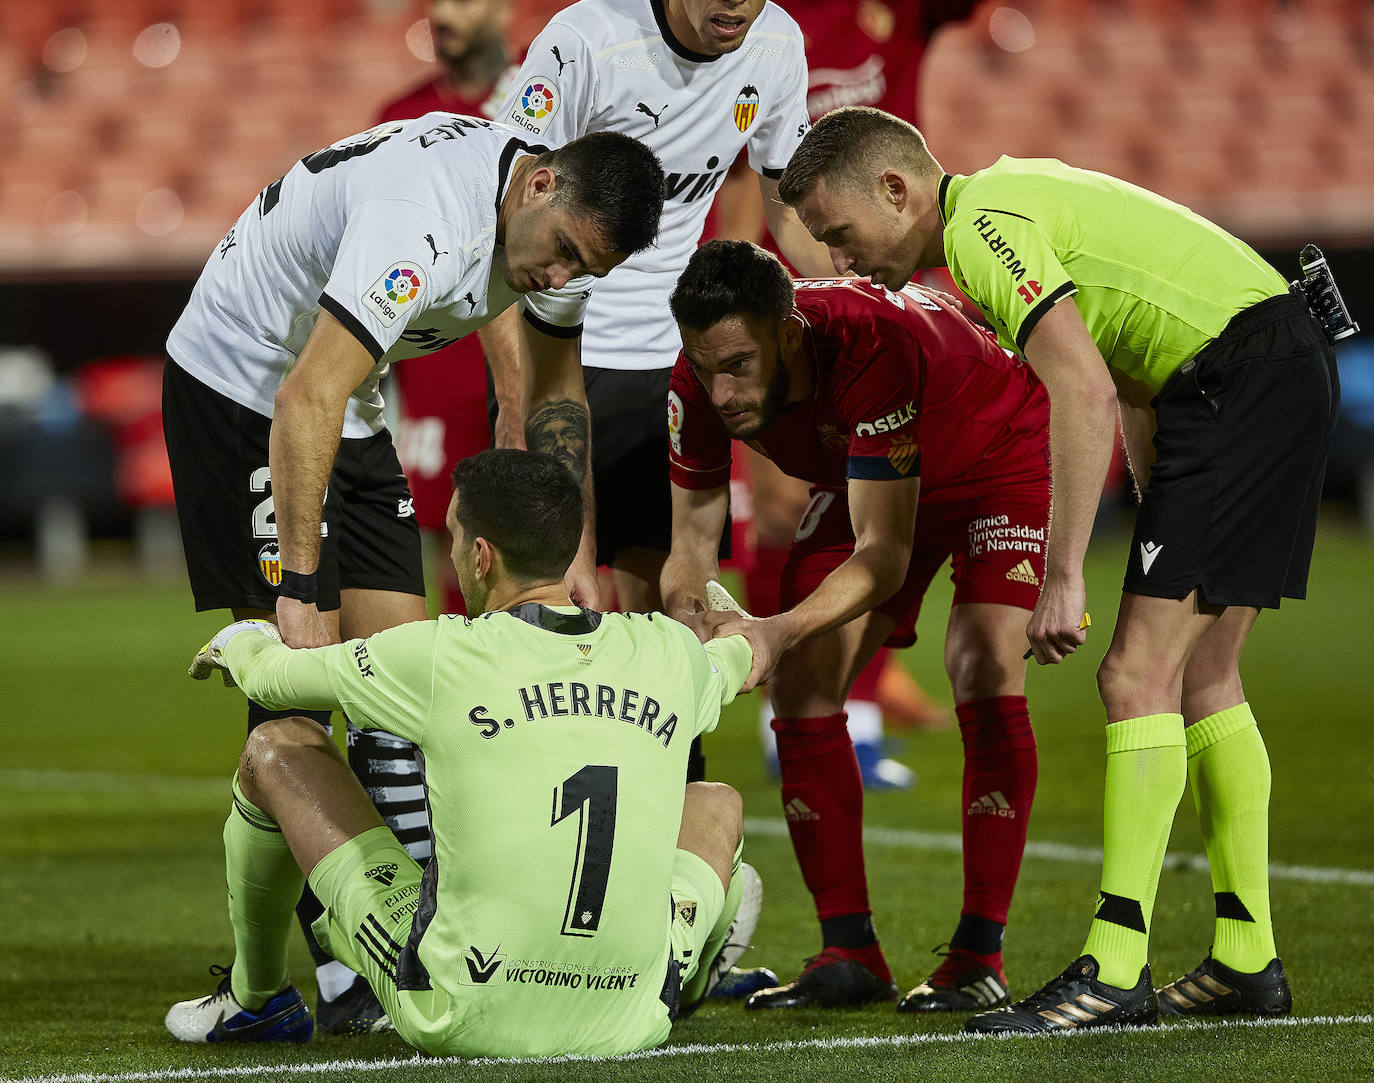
<point x="613" y="181"/>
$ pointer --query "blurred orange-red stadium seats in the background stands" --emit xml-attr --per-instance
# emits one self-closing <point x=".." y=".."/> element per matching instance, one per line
<point x="1257" y="112"/>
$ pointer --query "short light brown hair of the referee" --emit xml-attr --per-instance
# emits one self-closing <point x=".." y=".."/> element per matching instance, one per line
<point x="851" y="146"/>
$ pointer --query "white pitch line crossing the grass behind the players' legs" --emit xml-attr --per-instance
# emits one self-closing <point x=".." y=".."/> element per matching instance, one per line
<point x="897" y="838"/>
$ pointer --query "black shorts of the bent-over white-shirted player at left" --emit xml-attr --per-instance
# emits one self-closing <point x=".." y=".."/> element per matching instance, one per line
<point x="219" y="456"/>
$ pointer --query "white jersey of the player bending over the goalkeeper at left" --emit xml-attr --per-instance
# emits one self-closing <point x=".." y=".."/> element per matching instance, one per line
<point x="392" y="232"/>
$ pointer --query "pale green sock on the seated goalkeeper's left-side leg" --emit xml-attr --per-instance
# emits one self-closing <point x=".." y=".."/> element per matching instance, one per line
<point x="264" y="883"/>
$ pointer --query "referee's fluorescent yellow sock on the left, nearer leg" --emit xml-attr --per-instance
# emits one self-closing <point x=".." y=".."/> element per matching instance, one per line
<point x="1145" y="780"/>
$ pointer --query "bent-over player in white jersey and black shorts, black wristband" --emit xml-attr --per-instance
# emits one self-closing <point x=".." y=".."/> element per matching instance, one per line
<point x="383" y="247"/>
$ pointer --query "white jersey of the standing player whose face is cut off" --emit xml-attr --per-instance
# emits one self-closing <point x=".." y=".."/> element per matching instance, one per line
<point x="613" y="65"/>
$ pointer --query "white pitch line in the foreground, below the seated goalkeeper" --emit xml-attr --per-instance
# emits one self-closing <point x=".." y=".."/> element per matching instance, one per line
<point x="420" y="1063"/>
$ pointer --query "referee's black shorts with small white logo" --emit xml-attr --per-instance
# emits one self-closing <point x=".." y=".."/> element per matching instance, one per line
<point x="1241" y="443"/>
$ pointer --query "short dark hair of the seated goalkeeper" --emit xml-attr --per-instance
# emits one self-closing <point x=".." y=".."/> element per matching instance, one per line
<point x="527" y="505"/>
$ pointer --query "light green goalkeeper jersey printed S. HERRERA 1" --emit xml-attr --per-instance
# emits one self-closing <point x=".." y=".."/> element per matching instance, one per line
<point x="556" y="755"/>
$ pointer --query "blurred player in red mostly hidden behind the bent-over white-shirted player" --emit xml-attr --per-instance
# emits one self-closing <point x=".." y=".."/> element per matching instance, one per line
<point x="443" y="395"/>
